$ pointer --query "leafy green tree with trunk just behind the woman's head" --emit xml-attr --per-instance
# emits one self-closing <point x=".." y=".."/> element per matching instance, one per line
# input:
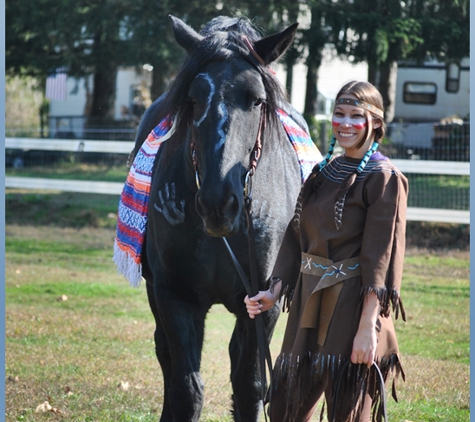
<point x="385" y="32"/>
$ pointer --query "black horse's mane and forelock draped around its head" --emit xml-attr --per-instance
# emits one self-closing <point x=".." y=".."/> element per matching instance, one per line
<point x="223" y="40"/>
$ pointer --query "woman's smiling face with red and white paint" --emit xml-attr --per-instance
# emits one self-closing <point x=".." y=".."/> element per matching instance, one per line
<point x="349" y="127"/>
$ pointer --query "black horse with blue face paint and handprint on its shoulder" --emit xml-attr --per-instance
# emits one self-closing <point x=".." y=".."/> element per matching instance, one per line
<point x="223" y="100"/>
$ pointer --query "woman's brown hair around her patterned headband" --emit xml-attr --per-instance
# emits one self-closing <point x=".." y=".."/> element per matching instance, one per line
<point x="367" y="93"/>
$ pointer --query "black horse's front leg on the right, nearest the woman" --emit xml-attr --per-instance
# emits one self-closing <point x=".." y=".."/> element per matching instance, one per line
<point x="245" y="375"/>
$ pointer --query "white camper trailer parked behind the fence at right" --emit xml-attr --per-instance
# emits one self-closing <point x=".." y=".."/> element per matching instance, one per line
<point x="432" y="103"/>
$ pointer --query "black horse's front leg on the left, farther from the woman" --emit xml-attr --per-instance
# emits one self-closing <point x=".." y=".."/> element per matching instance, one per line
<point x="182" y="330"/>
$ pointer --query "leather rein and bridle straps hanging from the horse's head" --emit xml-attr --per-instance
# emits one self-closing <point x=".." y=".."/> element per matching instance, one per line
<point x="252" y="286"/>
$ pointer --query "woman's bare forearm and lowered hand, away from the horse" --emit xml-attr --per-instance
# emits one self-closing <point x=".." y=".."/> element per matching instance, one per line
<point x="365" y="341"/>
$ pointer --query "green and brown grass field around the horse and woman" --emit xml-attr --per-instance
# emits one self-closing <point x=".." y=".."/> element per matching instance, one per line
<point x="78" y="337"/>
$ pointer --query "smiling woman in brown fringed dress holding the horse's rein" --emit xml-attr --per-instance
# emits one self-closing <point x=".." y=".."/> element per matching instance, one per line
<point x="339" y="270"/>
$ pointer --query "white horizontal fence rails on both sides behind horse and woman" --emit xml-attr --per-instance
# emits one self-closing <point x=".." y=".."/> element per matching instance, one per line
<point x="118" y="147"/>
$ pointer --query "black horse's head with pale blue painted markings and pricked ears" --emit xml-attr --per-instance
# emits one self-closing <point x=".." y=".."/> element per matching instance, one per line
<point x="229" y="103"/>
